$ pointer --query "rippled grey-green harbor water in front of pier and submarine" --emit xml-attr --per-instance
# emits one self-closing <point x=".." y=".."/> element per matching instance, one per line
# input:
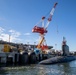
<point x="37" y="69"/>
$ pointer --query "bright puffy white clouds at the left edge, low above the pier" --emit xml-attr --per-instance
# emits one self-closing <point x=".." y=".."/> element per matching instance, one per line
<point x="12" y="34"/>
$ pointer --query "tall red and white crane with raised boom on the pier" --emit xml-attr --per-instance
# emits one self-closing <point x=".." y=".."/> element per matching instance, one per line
<point x="42" y="30"/>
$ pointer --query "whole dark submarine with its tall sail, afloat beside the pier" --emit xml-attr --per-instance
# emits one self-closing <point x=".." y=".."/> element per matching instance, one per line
<point x="66" y="57"/>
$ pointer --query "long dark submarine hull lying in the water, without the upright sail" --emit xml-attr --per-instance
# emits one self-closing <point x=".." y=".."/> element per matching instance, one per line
<point x="58" y="59"/>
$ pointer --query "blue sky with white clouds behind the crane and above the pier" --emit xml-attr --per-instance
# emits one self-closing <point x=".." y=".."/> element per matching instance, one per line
<point x="18" y="17"/>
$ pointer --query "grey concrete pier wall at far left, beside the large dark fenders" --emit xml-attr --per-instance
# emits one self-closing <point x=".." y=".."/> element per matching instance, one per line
<point x="9" y="57"/>
